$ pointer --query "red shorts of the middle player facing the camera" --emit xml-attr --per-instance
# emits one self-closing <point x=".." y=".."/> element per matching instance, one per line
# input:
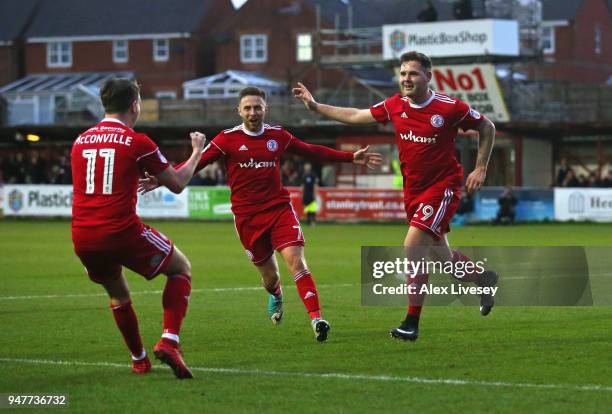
<point x="272" y="229"/>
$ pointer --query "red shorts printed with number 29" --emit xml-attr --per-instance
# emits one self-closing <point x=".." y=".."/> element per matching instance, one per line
<point x="433" y="209"/>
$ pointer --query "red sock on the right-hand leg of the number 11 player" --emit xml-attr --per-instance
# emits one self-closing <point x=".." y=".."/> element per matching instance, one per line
<point x="175" y="300"/>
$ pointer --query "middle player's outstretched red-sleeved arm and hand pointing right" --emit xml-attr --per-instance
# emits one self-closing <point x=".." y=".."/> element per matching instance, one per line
<point x="326" y="154"/>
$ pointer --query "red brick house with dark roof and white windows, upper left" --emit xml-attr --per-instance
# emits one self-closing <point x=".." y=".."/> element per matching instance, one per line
<point x="164" y="42"/>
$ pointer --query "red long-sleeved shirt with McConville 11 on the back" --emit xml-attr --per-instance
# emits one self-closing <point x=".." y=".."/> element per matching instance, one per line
<point x="107" y="161"/>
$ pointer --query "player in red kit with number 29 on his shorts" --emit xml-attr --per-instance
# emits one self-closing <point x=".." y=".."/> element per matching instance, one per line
<point x="426" y="124"/>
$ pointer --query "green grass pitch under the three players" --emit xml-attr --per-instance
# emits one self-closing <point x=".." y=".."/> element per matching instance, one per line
<point x="58" y="335"/>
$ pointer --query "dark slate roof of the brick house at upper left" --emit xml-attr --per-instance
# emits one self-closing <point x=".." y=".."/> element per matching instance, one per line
<point x="60" y="18"/>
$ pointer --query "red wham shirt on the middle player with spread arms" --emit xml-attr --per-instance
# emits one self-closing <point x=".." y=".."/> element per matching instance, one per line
<point x="253" y="164"/>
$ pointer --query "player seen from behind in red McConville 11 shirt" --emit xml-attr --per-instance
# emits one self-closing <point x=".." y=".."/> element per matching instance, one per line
<point x="107" y="161"/>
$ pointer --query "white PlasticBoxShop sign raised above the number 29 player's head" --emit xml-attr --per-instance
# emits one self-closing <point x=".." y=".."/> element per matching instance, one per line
<point x="448" y="39"/>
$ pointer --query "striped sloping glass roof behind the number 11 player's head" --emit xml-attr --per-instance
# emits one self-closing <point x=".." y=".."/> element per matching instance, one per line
<point x="56" y="82"/>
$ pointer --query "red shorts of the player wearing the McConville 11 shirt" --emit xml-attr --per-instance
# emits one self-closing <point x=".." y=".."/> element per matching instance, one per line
<point x="145" y="252"/>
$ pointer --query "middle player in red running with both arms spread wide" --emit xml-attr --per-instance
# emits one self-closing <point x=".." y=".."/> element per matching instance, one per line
<point x="264" y="217"/>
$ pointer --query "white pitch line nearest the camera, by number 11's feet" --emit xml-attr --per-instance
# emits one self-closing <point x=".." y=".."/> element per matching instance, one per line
<point x="334" y="375"/>
